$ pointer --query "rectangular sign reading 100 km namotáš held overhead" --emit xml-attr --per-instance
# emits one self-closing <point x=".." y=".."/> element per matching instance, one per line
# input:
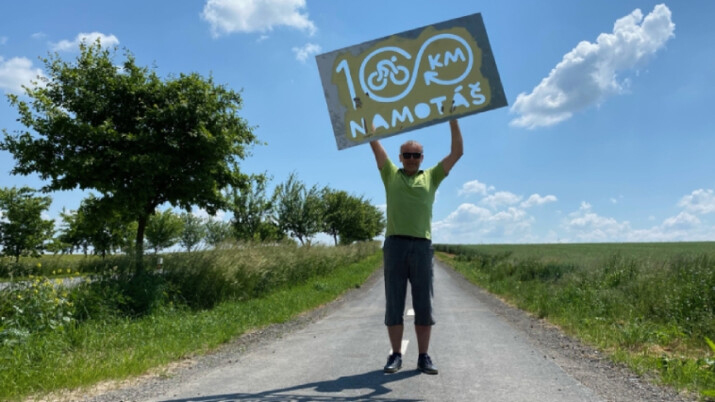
<point x="410" y="80"/>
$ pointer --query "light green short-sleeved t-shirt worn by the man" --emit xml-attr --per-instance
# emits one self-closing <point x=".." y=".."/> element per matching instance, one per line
<point x="410" y="199"/>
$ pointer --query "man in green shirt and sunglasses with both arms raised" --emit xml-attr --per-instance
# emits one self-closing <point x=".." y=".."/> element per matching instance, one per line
<point x="408" y="247"/>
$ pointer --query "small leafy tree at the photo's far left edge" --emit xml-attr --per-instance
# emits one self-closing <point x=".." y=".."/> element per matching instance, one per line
<point x="23" y="232"/>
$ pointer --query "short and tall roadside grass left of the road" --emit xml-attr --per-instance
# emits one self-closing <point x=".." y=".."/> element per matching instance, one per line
<point x="113" y="335"/>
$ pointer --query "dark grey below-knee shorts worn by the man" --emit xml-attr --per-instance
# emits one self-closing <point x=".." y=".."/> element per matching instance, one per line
<point x="408" y="259"/>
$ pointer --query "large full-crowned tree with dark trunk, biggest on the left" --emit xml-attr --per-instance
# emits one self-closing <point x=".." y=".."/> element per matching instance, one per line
<point x="138" y="140"/>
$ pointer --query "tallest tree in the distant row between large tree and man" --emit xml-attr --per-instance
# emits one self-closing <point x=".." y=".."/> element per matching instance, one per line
<point x="299" y="210"/>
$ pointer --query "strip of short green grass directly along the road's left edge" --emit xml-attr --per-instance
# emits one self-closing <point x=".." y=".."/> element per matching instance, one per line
<point x="114" y="349"/>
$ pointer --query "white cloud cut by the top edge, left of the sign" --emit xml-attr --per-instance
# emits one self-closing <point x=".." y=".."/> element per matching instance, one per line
<point x="228" y="16"/>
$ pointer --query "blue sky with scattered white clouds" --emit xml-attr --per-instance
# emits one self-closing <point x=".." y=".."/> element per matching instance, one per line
<point x="608" y="136"/>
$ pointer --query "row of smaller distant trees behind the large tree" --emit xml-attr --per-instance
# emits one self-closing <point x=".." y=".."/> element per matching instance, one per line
<point x="293" y="210"/>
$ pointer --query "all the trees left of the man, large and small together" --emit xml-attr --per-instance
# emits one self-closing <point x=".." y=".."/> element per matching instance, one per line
<point x="140" y="142"/>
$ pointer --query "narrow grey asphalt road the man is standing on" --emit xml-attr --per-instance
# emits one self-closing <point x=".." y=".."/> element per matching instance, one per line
<point x="480" y="356"/>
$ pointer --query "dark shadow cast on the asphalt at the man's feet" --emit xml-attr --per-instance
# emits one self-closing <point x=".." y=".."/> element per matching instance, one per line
<point x="373" y="380"/>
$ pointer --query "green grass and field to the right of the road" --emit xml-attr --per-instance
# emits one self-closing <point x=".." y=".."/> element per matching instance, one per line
<point x="650" y="306"/>
